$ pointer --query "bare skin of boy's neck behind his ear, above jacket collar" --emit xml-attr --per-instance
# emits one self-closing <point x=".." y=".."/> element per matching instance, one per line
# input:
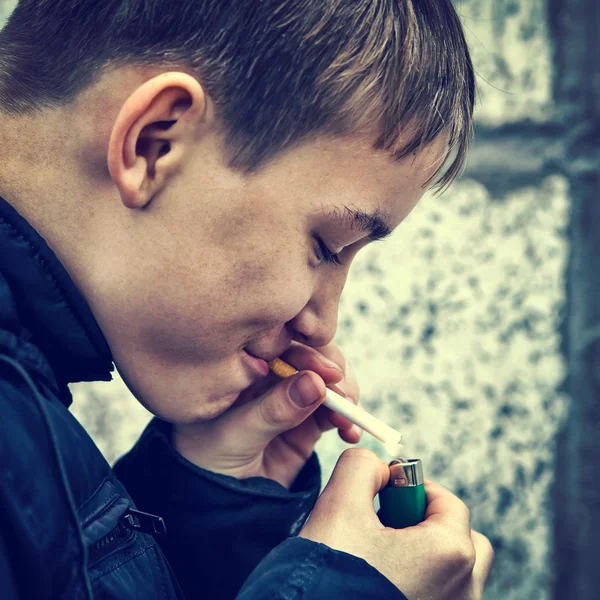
<point x="53" y="163"/>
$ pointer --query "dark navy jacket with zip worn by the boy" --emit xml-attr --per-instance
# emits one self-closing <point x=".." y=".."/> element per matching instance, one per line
<point x="69" y="527"/>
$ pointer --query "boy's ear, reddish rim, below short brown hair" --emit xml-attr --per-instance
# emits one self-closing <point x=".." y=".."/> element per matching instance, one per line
<point x="155" y="129"/>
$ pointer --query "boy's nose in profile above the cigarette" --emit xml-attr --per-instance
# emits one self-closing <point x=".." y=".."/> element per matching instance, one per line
<point x="315" y="325"/>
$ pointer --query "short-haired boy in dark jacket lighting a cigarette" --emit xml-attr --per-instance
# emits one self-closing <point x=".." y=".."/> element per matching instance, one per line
<point x="185" y="185"/>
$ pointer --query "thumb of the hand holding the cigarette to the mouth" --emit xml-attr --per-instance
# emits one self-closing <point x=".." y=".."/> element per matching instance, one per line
<point x="283" y="407"/>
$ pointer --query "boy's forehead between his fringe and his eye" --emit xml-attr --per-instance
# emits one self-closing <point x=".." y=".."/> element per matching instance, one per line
<point x="351" y="181"/>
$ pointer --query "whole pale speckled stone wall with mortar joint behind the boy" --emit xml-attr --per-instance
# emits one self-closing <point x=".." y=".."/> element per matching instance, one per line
<point x="452" y="325"/>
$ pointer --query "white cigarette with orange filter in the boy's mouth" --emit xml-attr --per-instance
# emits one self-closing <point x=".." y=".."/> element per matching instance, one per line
<point x="384" y="433"/>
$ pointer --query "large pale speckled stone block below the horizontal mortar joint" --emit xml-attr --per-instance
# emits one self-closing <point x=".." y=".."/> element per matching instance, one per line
<point x="452" y="327"/>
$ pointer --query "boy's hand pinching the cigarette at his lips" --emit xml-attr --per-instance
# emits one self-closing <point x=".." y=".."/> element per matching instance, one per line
<point x="267" y="432"/>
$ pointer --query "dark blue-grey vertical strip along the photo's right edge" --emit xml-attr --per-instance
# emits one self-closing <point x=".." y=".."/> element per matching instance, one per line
<point x="575" y="30"/>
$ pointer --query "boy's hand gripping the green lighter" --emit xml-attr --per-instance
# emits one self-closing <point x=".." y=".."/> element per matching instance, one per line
<point x="442" y="558"/>
